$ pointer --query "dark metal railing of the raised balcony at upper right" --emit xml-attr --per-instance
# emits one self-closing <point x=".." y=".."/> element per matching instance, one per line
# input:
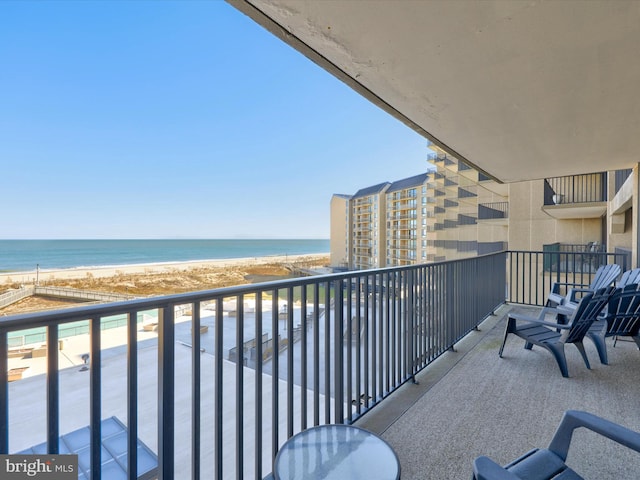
<point x="576" y="189"/>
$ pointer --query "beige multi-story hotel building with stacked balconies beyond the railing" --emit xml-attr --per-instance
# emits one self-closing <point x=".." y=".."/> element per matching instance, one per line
<point x="453" y="211"/>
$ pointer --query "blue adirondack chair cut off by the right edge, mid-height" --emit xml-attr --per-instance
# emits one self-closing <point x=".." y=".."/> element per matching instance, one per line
<point x="622" y="319"/>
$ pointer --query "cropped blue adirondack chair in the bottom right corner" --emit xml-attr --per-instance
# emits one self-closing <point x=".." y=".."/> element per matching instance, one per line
<point x="549" y="463"/>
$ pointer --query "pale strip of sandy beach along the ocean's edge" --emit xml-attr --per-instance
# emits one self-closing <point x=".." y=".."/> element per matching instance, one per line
<point x="47" y="276"/>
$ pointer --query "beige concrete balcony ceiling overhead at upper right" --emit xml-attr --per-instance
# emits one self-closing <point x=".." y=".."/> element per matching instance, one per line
<point x="519" y="89"/>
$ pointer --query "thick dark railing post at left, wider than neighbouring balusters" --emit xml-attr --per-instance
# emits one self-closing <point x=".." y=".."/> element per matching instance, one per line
<point x="166" y="392"/>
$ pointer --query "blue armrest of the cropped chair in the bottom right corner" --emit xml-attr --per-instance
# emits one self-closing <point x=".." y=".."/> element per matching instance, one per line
<point x="573" y="419"/>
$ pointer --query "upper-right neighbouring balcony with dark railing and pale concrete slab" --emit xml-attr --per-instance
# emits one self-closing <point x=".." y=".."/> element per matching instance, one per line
<point x="576" y="196"/>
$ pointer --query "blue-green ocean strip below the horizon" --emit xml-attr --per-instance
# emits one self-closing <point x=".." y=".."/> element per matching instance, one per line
<point x="27" y="255"/>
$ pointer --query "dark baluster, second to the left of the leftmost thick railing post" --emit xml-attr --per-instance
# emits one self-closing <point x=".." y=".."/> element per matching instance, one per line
<point x="95" y="409"/>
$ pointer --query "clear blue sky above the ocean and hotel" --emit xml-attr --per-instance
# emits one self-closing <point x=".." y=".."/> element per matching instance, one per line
<point x="185" y="119"/>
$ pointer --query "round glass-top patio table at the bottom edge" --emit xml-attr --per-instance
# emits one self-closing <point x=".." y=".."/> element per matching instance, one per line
<point x="336" y="452"/>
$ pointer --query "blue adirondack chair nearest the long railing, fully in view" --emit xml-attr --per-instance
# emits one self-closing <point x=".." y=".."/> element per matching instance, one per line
<point x="553" y="335"/>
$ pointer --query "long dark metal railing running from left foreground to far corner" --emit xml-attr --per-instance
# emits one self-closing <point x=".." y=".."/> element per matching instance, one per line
<point x="329" y="348"/>
